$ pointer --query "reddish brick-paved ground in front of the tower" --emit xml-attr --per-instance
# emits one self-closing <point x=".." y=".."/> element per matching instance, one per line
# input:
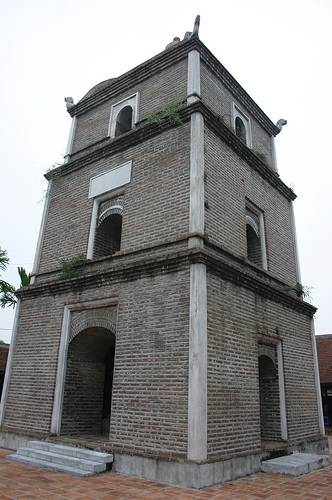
<point x="23" y="482"/>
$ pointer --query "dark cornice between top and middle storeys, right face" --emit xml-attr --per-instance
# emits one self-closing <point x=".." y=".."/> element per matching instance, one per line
<point x="222" y="131"/>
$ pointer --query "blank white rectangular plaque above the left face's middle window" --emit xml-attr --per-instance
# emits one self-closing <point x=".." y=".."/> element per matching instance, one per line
<point x="112" y="179"/>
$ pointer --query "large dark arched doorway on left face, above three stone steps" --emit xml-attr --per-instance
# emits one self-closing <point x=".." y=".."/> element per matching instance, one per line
<point x="88" y="385"/>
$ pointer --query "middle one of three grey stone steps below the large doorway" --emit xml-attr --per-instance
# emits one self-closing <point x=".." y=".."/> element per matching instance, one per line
<point x="50" y="456"/>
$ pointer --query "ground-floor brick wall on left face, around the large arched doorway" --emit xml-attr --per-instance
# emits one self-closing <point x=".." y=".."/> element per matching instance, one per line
<point x="149" y="404"/>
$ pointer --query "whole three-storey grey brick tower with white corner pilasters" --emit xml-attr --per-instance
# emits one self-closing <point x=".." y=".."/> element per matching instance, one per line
<point x="182" y="343"/>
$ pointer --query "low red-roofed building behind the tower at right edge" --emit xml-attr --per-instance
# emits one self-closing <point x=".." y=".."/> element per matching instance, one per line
<point x="324" y="351"/>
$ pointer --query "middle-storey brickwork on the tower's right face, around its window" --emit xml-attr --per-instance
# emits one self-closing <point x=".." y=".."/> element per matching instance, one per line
<point x="229" y="183"/>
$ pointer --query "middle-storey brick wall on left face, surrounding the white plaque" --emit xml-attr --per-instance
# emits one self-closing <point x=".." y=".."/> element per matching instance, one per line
<point x="156" y="201"/>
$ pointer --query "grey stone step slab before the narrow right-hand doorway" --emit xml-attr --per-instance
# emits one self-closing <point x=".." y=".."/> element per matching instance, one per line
<point x="295" y="464"/>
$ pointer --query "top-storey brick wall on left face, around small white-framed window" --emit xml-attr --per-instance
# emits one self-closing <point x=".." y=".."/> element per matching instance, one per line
<point x="155" y="92"/>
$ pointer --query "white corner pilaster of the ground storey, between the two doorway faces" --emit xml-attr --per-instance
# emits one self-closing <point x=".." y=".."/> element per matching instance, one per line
<point x="197" y="391"/>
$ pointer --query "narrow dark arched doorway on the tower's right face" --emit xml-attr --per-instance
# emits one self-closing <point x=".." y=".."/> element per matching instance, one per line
<point x="269" y="399"/>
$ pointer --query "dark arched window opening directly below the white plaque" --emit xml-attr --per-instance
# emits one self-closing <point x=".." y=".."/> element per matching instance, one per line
<point x="108" y="236"/>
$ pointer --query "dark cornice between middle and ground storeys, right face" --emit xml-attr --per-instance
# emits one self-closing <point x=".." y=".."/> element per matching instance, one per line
<point x="257" y="285"/>
